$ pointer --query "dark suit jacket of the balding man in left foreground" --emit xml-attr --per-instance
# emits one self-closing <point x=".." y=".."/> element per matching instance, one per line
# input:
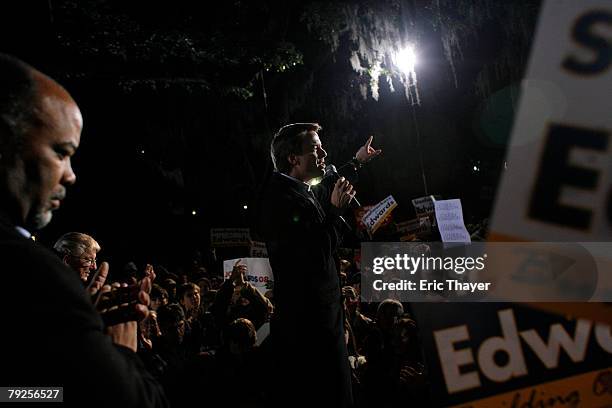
<point x="52" y="336"/>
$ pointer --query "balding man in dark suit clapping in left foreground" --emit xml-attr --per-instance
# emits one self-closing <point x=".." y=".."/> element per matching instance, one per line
<point x="57" y="337"/>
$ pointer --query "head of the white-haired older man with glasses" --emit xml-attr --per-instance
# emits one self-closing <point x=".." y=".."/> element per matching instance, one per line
<point x="79" y="251"/>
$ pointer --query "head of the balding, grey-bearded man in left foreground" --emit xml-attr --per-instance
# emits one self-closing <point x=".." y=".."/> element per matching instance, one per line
<point x="40" y="129"/>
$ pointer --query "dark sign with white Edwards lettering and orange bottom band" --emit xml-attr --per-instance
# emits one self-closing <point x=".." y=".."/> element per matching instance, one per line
<point x="505" y="355"/>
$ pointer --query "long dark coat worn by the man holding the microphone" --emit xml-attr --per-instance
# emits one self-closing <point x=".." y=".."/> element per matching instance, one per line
<point x="307" y="329"/>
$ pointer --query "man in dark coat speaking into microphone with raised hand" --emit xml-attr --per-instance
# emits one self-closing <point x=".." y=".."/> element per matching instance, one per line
<point x="301" y="225"/>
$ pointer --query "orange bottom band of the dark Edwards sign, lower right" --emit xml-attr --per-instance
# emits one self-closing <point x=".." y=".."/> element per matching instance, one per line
<point x="589" y="390"/>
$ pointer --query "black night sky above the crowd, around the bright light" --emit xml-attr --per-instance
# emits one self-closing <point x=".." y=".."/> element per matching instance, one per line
<point x="142" y="86"/>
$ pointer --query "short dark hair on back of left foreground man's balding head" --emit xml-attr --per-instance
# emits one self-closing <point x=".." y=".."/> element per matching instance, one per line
<point x="18" y="101"/>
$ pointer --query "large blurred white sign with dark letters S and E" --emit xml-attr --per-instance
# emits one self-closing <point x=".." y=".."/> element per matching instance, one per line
<point x="557" y="183"/>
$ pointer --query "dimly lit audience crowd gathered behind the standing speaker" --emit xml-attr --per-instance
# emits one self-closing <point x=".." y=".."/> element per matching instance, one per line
<point x="206" y="338"/>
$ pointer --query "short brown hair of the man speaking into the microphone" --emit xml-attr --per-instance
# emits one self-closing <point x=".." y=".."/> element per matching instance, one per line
<point x="288" y="140"/>
